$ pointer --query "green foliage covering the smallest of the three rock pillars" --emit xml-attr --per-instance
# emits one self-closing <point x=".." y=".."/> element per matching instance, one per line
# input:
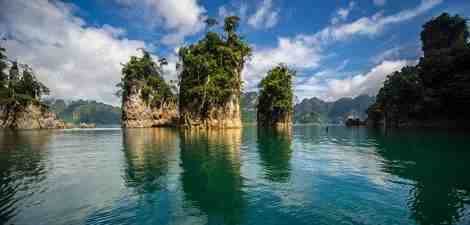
<point x="276" y="95"/>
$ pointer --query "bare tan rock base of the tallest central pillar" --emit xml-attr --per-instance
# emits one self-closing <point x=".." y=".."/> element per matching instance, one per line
<point x="225" y="116"/>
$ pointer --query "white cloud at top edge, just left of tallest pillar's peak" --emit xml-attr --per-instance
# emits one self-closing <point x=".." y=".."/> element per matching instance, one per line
<point x="180" y="18"/>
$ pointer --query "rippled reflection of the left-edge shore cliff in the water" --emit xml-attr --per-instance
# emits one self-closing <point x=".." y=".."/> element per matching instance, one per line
<point x="22" y="167"/>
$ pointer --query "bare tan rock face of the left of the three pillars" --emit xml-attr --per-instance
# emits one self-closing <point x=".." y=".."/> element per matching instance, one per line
<point x="136" y="113"/>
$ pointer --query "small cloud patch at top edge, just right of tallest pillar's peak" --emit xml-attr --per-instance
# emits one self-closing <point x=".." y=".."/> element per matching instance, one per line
<point x="265" y="16"/>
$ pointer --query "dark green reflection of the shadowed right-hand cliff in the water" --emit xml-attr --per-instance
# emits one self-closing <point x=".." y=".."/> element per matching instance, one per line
<point x="439" y="167"/>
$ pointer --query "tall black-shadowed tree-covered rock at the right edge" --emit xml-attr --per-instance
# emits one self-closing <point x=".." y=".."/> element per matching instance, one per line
<point x="445" y="67"/>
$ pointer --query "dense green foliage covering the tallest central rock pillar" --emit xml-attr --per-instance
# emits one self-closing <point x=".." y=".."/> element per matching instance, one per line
<point x="211" y="68"/>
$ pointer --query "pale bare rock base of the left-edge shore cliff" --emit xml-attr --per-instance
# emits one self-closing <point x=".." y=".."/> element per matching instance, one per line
<point x="30" y="117"/>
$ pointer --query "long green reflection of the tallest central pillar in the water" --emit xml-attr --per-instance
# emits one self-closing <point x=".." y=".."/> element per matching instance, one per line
<point x="211" y="173"/>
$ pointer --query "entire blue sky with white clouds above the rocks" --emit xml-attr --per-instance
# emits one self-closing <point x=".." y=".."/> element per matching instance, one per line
<point x="339" y="48"/>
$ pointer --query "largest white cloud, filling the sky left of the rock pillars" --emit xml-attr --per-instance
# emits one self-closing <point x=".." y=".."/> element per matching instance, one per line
<point x="73" y="59"/>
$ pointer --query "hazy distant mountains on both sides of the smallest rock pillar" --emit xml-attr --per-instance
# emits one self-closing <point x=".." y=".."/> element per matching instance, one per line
<point x="314" y="110"/>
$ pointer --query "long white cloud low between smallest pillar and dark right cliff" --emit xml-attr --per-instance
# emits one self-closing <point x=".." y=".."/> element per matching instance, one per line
<point x="332" y="89"/>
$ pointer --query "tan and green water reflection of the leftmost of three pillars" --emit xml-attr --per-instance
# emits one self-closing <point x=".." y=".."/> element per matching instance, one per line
<point x="147" y="154"/>
